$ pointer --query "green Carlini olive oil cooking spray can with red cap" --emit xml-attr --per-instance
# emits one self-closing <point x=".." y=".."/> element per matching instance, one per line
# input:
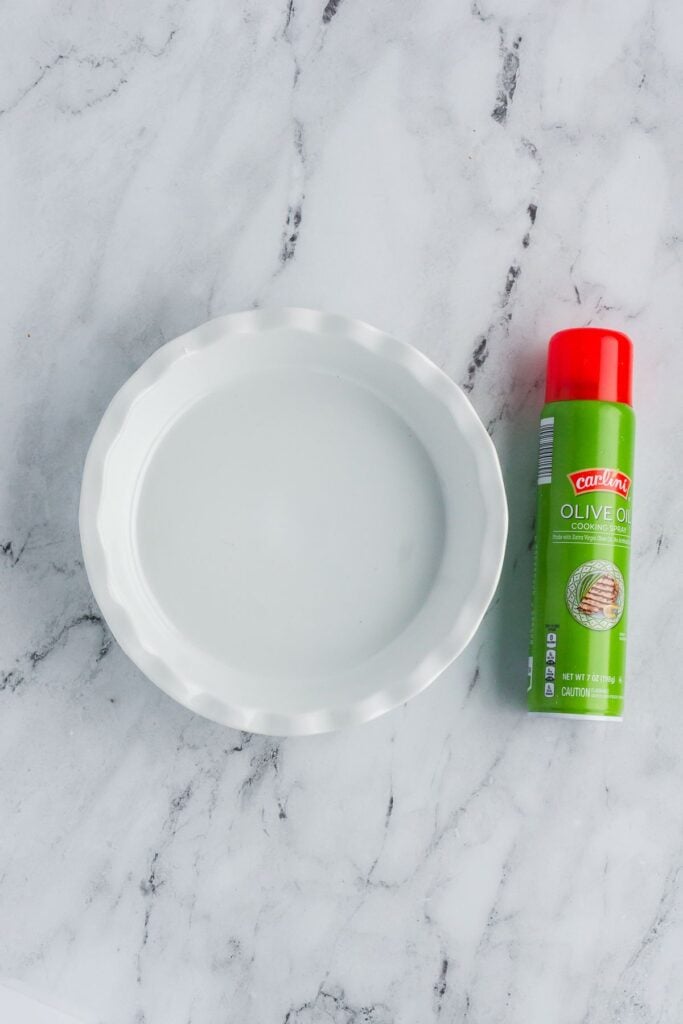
<point x="583" y="528"/>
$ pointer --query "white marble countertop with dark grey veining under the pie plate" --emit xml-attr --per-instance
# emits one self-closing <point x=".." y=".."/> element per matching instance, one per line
<point x="469" y="177"/>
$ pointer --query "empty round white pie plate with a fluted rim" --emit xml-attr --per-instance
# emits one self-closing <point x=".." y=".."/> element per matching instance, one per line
<point x="291" y="522"/>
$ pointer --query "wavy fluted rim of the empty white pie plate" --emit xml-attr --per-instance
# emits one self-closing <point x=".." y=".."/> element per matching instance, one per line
<point x="468" y="617"/>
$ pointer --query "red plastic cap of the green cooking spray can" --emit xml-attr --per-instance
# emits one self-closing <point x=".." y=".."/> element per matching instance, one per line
<point x="589" y="363"/>
